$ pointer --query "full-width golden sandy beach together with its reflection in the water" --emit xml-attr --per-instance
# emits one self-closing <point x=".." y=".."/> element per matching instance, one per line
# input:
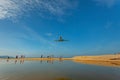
<point x="101" y="60"/>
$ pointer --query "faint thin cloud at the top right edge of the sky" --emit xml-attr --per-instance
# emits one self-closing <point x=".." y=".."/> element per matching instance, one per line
<point x="108" y="3"/>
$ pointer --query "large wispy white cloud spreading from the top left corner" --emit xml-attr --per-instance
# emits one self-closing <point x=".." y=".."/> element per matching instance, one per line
<point x="15" y="8"/>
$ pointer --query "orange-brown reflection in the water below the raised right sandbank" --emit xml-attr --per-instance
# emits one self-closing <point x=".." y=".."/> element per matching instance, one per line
<point x="100" y="63"/>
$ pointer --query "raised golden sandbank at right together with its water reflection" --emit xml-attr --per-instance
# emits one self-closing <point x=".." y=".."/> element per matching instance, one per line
<point x="101" y="60"/>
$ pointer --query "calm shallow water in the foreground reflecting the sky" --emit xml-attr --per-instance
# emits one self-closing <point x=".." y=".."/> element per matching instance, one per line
<point x="55" y="70"/>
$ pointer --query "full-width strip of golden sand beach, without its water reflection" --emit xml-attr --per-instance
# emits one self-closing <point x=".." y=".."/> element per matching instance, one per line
<point x="77" y="58"/>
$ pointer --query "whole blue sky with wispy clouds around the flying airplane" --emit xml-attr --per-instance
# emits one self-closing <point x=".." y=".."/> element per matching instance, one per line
<point x="30" y="27"/>
